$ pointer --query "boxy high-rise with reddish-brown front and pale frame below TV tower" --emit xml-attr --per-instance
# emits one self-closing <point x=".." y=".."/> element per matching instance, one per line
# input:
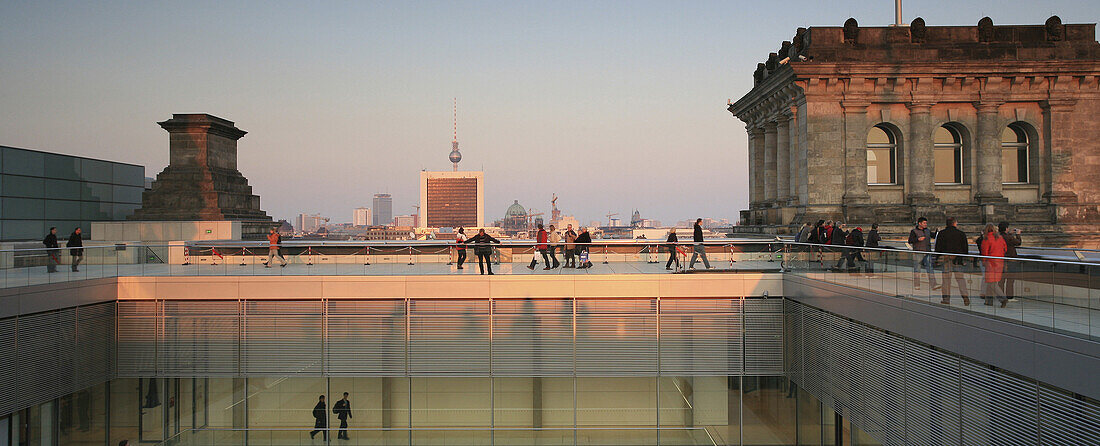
<point x="452" y="200"/>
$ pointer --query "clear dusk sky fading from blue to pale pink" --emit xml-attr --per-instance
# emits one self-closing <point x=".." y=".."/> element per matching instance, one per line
<point x="613" y="106"/>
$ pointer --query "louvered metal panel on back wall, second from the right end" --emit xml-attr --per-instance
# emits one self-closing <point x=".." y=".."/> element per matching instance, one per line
<point x="701" y="336"/>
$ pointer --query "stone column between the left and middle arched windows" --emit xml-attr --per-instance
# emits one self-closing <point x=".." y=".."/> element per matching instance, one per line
<point x="920" y="159"/>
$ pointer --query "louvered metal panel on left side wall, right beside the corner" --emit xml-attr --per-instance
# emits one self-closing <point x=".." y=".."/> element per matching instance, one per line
<point x="95" y="344"/>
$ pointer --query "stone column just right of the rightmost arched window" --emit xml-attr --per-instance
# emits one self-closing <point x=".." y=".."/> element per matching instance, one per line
<point x="1059" y="119"/>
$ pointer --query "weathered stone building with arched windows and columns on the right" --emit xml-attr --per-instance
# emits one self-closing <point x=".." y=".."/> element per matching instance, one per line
<point x="884" y="125"/>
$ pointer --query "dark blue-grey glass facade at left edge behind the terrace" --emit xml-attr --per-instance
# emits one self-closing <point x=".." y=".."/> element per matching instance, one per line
<point x="40" y="190"/>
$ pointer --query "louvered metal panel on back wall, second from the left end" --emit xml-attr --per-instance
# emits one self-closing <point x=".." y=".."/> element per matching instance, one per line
<point x="199" y="339"/>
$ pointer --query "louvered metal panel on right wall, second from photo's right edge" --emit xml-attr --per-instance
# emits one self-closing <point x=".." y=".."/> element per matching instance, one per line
<point x="998" y="408"/>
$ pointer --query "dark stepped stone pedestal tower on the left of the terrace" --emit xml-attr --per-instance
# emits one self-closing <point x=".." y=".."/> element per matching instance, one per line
<point x="202" y="181"/>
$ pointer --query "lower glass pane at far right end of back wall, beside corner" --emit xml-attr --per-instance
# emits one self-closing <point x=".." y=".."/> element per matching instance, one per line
<point x="769" y="411"/>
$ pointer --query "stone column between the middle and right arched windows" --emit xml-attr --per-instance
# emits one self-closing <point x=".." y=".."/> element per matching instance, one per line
<point x="988" y="151"/>
